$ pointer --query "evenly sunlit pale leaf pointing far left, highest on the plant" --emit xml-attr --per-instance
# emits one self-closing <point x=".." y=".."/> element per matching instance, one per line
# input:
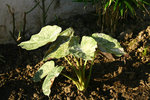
<point x="47" y="34"/>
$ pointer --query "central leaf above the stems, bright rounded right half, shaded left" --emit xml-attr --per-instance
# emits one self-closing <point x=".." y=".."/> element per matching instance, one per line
<point x="86" y="49"/>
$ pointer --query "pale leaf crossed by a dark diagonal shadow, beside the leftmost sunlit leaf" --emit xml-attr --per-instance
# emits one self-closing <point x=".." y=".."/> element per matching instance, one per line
<point x="60" y="48"/>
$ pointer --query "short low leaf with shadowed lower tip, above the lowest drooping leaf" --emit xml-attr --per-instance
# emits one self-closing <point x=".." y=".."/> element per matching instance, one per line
<point x="43" y="71"/>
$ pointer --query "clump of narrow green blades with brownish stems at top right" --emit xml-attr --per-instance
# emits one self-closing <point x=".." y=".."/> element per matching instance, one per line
<point x="110" y="11"/>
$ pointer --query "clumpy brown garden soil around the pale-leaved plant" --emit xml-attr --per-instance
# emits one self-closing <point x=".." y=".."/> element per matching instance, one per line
<point x="126" y="77"/>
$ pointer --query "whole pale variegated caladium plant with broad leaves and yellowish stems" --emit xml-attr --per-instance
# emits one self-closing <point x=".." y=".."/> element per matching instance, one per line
<point x="63" y="44"/>
